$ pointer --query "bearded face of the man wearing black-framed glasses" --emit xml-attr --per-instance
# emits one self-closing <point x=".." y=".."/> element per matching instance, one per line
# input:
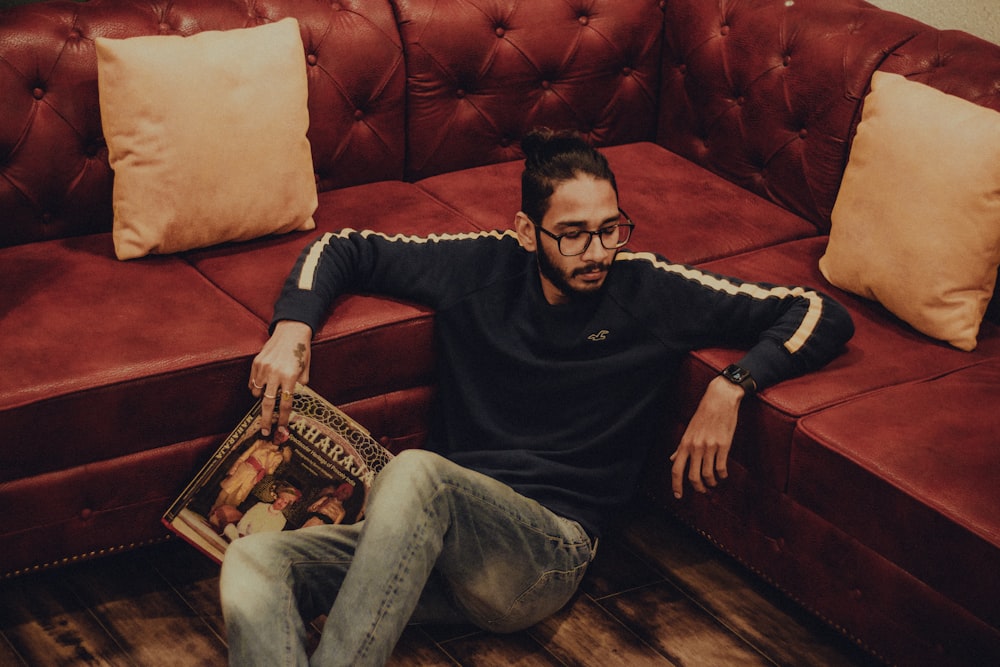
<point x="582" y="204"/>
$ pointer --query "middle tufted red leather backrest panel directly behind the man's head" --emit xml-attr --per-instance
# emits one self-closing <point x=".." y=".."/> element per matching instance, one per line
<point x="481" y="73"/>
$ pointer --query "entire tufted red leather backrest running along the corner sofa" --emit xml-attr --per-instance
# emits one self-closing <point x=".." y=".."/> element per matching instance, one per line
<point x="764" y="92"/>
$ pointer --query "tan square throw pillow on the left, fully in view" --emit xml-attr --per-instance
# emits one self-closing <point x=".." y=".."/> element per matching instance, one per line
<point x="207" y="137"/>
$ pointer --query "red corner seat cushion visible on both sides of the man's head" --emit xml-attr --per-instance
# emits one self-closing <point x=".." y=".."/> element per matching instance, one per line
<point x="681" y="210"/>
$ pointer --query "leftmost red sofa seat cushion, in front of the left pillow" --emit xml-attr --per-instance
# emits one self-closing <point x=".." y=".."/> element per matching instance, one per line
<point x="105" y="358"/>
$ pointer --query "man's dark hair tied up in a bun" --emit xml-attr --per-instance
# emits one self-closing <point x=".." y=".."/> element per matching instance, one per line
<point x="552" y="158"/>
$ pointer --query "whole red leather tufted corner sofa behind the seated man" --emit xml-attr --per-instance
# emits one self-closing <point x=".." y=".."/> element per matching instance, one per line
<point x="867" y="492"/>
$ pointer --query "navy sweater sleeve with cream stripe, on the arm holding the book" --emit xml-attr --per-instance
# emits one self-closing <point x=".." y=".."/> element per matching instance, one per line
<point x="427" y="270"/>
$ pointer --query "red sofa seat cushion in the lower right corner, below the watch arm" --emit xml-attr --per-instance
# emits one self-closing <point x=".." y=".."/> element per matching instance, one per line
<point x="923" y="492"/>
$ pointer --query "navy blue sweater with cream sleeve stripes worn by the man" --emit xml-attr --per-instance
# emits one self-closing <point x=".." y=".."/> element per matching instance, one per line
<point x="562" y="402"/>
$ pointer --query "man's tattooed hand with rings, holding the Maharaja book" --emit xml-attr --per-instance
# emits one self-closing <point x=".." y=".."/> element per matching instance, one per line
<point x="283" y="361"/>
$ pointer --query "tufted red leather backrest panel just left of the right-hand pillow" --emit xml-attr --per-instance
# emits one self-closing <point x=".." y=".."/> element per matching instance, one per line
<point x="766" y="92"/>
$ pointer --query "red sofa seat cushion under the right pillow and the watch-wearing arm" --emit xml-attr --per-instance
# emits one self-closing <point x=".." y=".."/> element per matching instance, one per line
<point x="881" y="354"/>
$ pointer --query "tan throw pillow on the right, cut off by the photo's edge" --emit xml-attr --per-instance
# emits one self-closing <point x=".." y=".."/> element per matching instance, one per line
<point x="916" y="225"/>
